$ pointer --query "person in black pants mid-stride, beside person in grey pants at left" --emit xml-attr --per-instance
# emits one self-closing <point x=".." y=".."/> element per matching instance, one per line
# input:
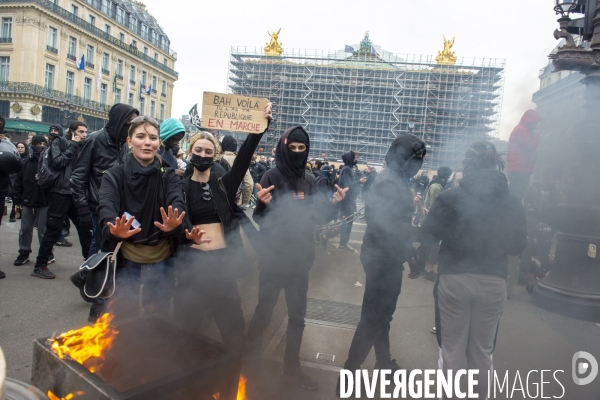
<point x="62" y="155"/>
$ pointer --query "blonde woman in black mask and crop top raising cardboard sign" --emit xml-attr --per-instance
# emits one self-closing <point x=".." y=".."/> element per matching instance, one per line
<point x="208" y="280"/>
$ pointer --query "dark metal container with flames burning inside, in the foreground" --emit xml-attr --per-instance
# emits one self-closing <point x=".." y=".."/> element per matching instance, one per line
<point x="145" y="358"/>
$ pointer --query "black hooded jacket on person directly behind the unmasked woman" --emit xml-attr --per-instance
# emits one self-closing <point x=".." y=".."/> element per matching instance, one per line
<point x="101" y="151"/>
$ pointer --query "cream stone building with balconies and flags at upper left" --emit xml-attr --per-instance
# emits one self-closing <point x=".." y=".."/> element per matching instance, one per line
<point x="62" y="60"/>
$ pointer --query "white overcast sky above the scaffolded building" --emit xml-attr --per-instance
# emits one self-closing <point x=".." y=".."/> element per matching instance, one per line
<point x="203" y="32"/>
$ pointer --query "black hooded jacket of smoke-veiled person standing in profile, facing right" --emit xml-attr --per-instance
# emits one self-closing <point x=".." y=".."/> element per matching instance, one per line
<point x="389" y="207"/>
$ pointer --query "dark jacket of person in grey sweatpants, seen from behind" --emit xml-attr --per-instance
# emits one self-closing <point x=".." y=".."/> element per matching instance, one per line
<point x="479" y="223"/>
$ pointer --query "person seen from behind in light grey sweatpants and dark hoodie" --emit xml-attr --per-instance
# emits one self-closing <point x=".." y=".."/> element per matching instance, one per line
<point x="479" y="224"/>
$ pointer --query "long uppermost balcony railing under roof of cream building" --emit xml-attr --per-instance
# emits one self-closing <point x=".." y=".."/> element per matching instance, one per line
<point x="67" y="15"/>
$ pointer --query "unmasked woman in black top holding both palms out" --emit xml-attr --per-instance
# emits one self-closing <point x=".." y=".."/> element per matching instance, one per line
<point x="150" y="191"/>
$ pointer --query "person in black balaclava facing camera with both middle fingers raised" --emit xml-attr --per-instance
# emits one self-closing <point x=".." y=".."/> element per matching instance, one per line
<point x="289" y="208"/>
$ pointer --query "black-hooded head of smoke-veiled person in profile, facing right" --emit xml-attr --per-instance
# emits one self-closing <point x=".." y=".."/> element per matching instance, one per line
<point x="402" y="155"/>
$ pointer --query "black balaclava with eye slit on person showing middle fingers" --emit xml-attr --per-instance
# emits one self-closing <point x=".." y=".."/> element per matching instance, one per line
<point x="292" y="163"/>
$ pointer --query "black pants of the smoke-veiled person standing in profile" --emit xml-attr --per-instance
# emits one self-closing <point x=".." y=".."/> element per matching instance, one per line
<point x="382" y="288"/>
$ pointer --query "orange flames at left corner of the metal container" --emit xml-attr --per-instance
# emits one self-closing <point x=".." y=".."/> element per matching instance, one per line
<point x="86" y="343"/>
